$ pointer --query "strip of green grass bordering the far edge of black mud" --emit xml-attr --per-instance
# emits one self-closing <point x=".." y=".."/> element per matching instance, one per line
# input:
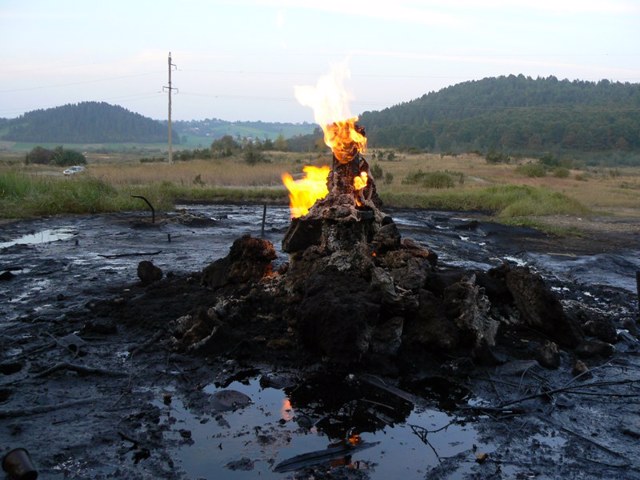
<point x="23" y="195"/>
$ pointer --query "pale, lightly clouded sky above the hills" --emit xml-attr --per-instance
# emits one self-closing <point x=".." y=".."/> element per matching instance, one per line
<point x="242" y="59"/>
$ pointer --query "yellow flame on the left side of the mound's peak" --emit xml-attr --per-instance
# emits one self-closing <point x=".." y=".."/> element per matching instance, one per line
<point x="305" y="192"/>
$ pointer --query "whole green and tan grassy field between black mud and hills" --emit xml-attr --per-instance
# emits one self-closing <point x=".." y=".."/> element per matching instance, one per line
<point x="463" y="182"/>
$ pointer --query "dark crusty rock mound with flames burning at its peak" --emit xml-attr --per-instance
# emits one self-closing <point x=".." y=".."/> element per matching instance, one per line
<point x="355" y="292"/>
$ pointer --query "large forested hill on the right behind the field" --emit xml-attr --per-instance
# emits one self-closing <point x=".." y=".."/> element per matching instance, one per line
<point x="515" y="114"/>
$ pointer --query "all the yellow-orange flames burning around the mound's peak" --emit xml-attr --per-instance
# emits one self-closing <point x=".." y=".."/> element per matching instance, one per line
<point x="329" y="101"/>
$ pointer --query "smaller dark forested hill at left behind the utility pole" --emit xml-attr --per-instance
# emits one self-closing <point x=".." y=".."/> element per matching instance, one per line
<point x="85" y="122"/>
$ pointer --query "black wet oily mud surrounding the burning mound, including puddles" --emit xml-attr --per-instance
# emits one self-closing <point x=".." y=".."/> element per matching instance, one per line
<point x="91" y="386"/>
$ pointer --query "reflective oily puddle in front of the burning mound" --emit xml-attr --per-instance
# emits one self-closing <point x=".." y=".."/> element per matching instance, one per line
<point x="264" y="429"/>
